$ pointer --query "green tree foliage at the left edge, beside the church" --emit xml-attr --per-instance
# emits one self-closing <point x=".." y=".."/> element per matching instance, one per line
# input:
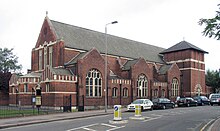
<point x="8" y="61"/>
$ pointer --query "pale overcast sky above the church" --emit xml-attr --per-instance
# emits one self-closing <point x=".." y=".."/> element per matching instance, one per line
<point x="161" y="23"/>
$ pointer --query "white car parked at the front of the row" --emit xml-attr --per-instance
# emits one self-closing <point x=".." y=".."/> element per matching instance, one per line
<point x="146" y="104"/>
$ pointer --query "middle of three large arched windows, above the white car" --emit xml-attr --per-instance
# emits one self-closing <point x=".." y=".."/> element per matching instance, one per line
<point x="142" y="86"/>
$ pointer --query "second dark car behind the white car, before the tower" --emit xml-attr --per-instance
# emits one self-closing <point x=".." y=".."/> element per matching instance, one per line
<point x="186" y="101"/>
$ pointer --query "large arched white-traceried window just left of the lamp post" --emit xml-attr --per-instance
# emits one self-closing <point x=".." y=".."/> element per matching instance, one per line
<point x="93" y="83"/>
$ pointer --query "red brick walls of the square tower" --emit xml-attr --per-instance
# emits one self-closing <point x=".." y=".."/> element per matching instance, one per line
<point x="190" y="72"/>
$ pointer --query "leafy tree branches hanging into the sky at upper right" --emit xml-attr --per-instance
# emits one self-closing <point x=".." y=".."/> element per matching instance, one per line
<point x="212" y="26"/>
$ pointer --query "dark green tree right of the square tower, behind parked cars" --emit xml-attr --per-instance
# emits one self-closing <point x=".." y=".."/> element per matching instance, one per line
<point x="212" y="79"/>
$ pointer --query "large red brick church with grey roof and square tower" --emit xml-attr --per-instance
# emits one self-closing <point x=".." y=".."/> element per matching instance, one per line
<point x="70" y="65"/>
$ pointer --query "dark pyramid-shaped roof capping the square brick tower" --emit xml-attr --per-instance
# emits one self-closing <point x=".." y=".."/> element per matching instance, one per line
<point x="183" y="45"/>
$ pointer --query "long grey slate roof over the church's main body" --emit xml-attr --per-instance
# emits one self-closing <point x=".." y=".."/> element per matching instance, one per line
<point x="85" y="39"/>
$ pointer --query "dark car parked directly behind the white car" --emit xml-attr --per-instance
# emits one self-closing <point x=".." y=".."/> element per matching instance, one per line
<point x="162" y="103"/>
